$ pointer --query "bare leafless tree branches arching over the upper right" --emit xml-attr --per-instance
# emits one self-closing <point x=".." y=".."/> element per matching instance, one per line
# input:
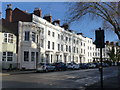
<point x="108" y="11"/>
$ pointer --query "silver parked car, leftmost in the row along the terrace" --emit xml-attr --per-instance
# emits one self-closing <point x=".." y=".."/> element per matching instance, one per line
<point x="45" y="67"/>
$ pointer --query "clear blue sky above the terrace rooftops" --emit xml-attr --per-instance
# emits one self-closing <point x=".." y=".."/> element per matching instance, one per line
<point x="58" y="10"/>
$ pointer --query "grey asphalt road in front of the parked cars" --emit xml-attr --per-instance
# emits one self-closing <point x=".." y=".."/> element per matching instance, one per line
<point x="62" y="79"/>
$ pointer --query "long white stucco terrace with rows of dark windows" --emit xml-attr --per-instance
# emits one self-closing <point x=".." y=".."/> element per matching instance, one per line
<point x="42" y="41"/>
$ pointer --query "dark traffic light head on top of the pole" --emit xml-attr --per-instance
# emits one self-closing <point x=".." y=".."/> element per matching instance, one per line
<point x="99" y="35"/>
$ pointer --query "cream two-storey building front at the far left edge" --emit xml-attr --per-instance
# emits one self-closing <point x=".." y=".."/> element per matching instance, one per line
<point x="8" y="50"/>
